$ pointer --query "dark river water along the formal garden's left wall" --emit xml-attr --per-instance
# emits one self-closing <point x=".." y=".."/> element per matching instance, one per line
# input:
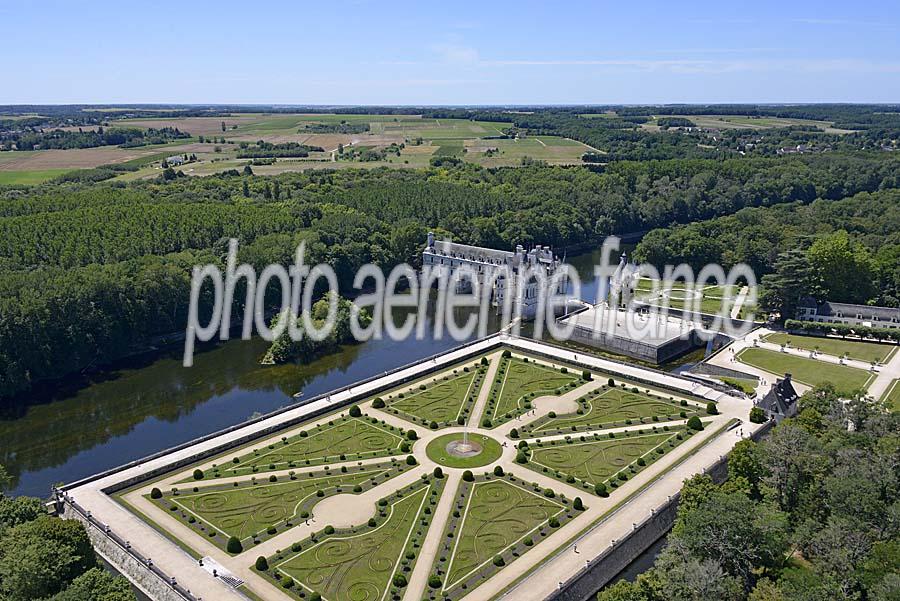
<point x="84" y="426"/>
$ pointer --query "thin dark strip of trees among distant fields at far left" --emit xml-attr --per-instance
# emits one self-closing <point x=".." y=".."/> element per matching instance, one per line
<point x="67" y="140"/>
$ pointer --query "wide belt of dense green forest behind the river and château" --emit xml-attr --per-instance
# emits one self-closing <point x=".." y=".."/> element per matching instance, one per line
<point x="90" y="272"/>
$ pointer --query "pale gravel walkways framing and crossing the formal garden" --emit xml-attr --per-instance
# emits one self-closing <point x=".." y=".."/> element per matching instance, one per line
<point x="592" y="531"/>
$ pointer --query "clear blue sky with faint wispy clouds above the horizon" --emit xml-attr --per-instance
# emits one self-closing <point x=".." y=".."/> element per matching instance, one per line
<point x="461" y="52"/>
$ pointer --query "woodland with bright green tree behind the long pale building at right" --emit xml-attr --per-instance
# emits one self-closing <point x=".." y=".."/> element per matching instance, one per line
<point x="845" y="250"/>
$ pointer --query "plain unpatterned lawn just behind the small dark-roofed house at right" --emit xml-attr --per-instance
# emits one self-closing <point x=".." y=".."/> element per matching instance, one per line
<point x="807" y="371"/>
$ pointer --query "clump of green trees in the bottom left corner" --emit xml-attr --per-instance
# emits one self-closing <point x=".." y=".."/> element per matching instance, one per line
<point x="43" y="557"/>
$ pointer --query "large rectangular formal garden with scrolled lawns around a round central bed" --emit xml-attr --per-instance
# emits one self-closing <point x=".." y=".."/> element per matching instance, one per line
<point x="263" y="503"/>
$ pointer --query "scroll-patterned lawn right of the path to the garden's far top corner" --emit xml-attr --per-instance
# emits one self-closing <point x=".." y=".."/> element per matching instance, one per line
<point x="519" y="381"/>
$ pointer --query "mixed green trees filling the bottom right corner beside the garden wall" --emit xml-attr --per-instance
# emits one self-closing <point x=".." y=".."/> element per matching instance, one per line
<point x="808" y="514"/>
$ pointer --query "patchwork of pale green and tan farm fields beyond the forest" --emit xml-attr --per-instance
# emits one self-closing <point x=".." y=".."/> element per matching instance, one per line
<point x="222" y="138"/>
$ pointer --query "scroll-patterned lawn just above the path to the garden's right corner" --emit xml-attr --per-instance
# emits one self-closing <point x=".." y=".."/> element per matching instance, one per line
<point x="609" y="407"/>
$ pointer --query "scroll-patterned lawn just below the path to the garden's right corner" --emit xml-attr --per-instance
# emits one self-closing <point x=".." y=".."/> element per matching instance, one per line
<point x="598" y="461"/>
